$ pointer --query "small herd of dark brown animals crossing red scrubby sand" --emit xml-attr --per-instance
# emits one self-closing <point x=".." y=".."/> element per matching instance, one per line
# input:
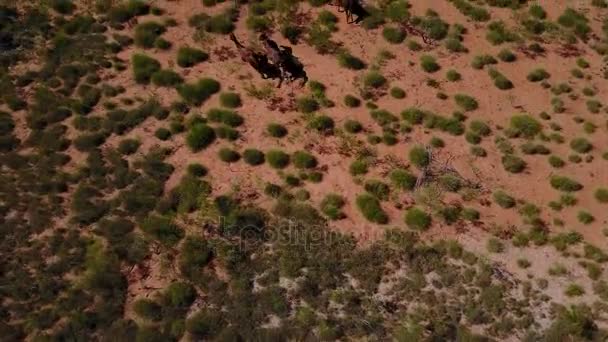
<point x="278" y="62"/>
